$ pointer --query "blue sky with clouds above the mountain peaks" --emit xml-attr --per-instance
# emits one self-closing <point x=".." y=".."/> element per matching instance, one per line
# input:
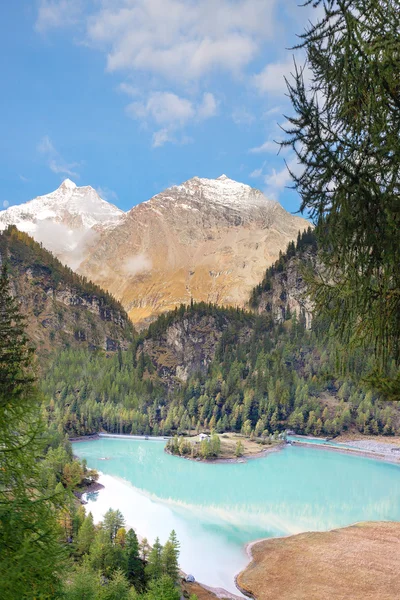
<point x="132" y="96"/>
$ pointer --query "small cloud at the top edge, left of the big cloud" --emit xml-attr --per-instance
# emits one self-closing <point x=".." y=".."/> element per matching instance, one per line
<point x="54" y="14"/>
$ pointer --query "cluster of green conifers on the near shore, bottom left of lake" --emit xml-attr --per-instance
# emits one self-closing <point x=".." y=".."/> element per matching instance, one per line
<point x="111" y="567"/>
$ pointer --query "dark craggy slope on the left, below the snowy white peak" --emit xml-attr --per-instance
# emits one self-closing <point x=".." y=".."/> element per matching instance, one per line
<point x="62" y="309"/>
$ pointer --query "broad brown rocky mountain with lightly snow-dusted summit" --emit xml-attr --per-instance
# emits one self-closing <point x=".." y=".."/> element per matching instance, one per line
<point x="204" y="240"/>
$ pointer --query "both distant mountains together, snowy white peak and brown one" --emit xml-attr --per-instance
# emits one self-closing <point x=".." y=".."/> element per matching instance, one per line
<point x="203" y="240"/>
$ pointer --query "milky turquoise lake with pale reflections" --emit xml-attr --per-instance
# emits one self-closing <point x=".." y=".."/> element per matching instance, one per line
<point x="217" y="508"/>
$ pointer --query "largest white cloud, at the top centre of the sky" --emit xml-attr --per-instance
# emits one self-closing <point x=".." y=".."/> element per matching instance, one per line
<point x="181" y="39"/>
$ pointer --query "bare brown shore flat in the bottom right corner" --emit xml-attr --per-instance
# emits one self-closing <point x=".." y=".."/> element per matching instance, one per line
<point x="270" y="553"/>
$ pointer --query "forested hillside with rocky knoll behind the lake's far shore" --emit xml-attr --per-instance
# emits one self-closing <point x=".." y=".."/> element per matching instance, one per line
<point x="203" y="367"/>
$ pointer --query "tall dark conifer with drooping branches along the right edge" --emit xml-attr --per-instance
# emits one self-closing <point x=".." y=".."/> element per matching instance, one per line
<point x="345" y="133"/>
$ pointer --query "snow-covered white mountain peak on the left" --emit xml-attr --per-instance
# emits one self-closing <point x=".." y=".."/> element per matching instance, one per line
<point x="67" y="221"/>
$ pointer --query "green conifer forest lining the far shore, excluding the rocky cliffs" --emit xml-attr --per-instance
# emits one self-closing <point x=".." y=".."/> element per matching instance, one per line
<point x="273" y="380"/>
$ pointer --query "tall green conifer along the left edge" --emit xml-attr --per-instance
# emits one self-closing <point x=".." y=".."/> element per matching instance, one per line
<point x="30" y="553"/>
